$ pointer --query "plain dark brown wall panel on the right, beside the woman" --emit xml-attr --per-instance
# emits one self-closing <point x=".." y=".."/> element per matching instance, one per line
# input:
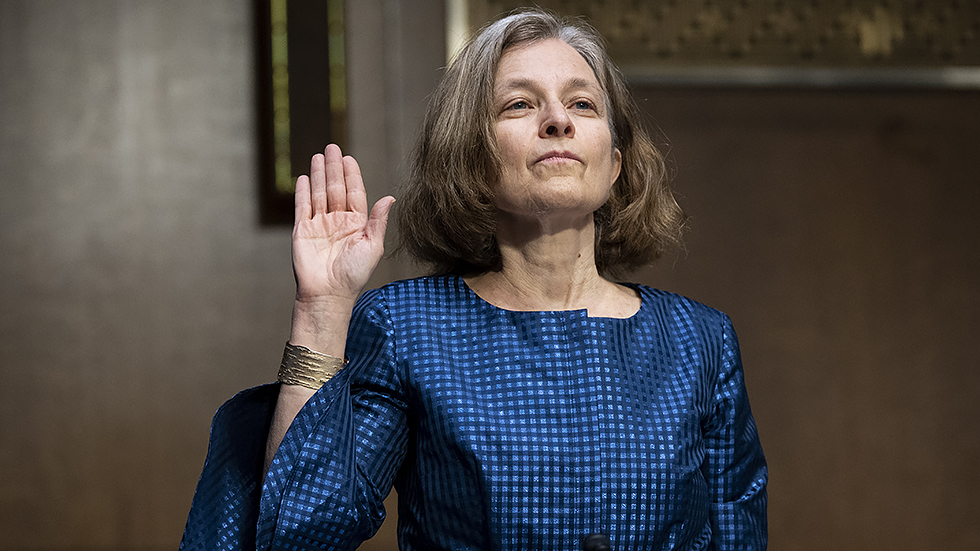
<point x="840" y="231"/>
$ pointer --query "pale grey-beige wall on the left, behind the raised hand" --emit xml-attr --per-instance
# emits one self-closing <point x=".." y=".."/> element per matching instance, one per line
<point x="137" y="291"/>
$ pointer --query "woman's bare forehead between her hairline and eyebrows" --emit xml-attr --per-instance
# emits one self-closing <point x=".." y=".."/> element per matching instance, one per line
<point x="543" y="63"/>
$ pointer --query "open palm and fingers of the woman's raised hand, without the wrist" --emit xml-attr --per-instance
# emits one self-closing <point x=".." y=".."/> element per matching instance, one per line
<point x="336" y="242"/>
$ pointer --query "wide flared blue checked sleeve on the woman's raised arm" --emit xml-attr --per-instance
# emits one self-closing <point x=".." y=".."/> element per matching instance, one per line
<point x="327" y="483"/>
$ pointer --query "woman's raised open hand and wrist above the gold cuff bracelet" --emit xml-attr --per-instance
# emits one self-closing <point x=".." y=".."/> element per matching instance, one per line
<point x="336" y="246"/>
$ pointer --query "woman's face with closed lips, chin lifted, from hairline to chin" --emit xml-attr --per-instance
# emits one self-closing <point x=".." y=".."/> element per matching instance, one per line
<point x="552" y="133"/>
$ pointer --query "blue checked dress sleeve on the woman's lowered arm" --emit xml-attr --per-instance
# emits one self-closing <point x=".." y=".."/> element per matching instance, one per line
<point x="734" y="465"/>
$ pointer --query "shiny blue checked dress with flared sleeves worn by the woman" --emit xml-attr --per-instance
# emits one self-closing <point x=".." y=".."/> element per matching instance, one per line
<point x="501" y="430"/>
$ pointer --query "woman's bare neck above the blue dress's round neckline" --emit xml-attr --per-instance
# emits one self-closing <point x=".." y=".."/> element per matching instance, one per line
<point x="552" y="268"/>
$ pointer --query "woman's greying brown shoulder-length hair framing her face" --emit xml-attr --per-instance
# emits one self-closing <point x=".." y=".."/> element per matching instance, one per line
<point x="446" y="215"/>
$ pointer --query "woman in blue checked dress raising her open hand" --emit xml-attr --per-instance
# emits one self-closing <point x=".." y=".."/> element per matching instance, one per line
<point x="519" y="400"/>
